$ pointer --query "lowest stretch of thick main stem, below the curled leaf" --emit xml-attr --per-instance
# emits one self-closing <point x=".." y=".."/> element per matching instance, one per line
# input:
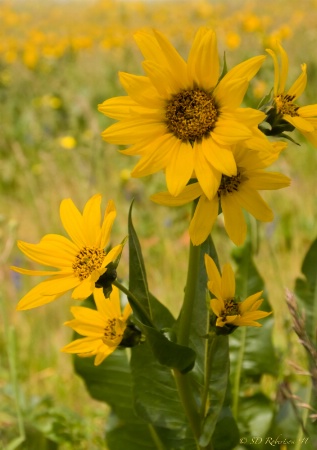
<point x="189" y="405"/>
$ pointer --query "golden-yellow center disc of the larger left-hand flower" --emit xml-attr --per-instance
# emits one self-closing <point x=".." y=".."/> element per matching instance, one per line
<point x="88" y="260"/>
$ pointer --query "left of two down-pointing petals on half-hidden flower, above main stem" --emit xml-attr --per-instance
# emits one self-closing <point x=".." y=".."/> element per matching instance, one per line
<point x="205" y="215"/>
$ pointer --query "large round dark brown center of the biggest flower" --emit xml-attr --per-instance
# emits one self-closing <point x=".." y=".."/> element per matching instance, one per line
<point x="191" y="114"/>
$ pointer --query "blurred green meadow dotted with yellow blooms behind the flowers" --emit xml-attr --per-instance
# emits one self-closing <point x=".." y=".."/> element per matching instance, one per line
<point x="58" y="60"/>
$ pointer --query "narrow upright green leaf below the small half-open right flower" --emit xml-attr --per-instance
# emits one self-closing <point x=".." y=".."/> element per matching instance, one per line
<point x="218" y="385"/>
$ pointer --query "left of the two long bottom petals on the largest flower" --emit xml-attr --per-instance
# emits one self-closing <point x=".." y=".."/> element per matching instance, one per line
<point x="180" y="167"/>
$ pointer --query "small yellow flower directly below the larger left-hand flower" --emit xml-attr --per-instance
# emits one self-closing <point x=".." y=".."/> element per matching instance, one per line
<point x="103" y="328"/>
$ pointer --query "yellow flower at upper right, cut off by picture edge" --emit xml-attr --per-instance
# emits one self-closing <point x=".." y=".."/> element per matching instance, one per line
<point x="302" y="118"/>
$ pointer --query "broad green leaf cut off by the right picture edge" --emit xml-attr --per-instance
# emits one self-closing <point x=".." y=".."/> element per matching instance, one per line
<point x="306" y="291"/>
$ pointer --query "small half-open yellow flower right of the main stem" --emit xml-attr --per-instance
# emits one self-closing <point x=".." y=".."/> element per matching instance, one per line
<point x="228" y="310"/>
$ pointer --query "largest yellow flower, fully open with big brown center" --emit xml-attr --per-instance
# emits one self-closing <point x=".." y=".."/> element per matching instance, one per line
<point x="179" y="117"/>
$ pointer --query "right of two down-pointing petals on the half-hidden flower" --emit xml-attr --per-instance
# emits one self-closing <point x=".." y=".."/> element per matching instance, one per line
<point x="235" y="223"/>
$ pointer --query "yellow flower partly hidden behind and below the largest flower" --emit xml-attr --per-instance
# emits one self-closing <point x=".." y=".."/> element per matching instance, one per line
<point x="234" y="194"/>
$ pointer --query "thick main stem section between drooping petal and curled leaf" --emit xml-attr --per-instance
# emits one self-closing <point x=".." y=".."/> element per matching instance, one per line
<point x="190" y="291"/>
